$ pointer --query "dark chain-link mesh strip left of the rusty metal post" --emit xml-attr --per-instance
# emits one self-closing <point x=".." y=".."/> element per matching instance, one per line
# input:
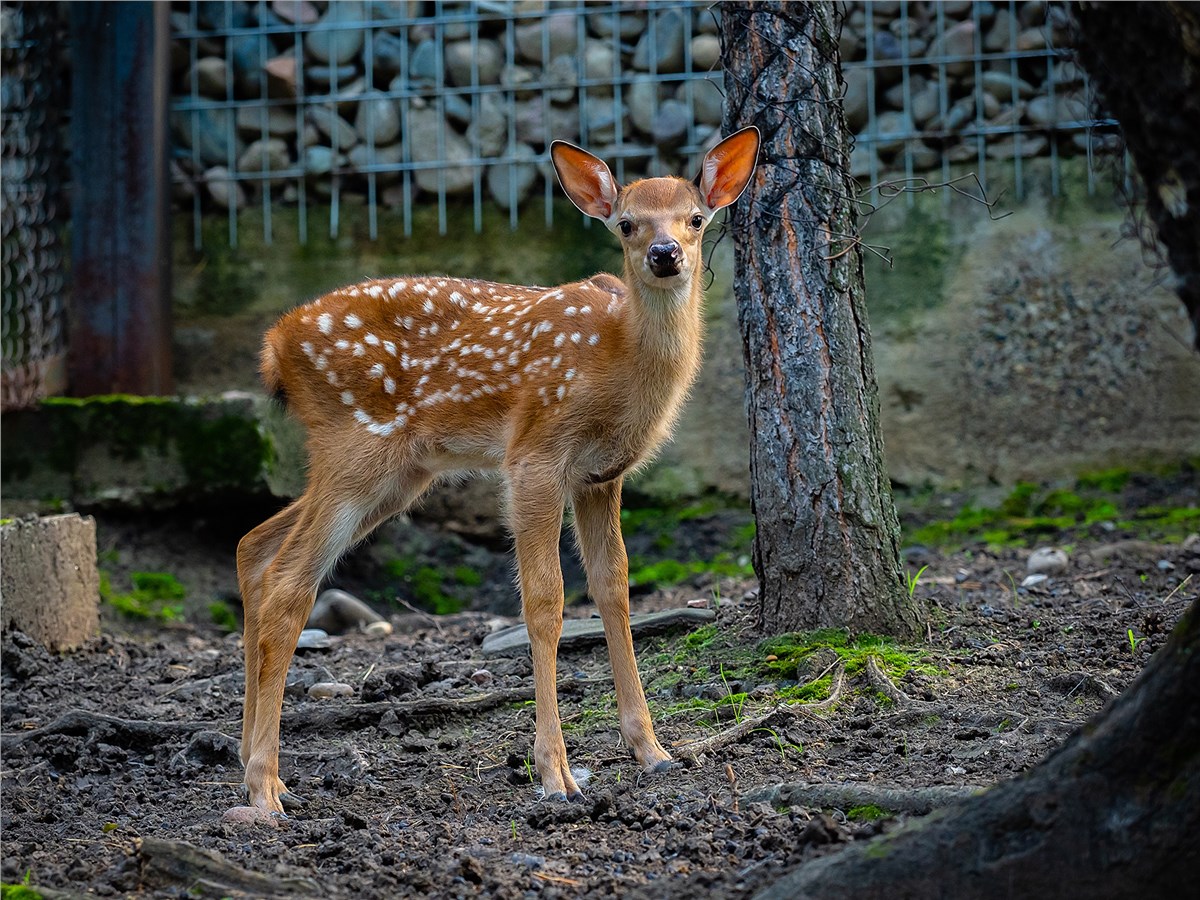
<point x="34" y="310"/>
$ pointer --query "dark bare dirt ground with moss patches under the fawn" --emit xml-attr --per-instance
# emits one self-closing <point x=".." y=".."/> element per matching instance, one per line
<point x="119" y="760"/>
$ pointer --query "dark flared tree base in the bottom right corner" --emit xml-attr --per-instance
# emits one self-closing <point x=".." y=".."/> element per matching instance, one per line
<point x="1113" y="814"/>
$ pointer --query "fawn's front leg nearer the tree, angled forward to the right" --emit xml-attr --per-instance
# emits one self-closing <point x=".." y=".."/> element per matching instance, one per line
<point x="598" y="529"/>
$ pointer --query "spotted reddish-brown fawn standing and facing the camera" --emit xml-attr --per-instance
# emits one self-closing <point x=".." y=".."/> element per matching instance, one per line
<point x="563" y="389"/>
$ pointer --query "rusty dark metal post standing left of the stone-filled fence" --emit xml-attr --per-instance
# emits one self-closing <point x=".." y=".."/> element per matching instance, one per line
<point x="121" y="245"/>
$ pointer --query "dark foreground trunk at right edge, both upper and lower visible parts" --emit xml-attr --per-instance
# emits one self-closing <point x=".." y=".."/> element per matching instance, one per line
<point x="1115" y="813"/>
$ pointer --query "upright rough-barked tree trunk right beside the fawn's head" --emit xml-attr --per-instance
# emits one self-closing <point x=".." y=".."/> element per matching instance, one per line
<point x="827" y="553"/>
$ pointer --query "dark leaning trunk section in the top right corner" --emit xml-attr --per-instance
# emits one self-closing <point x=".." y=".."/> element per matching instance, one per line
<point x="1145" y="58"/>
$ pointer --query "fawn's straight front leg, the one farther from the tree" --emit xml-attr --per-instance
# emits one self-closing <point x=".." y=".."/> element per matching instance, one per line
<point x="537" y="519"/>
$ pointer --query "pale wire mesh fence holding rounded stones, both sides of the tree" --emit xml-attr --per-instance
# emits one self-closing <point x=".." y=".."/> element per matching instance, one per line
<point x="368" y="109"/>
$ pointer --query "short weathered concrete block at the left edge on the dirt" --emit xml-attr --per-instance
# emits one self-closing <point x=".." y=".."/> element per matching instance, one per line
<point x="50" y="587"/>
